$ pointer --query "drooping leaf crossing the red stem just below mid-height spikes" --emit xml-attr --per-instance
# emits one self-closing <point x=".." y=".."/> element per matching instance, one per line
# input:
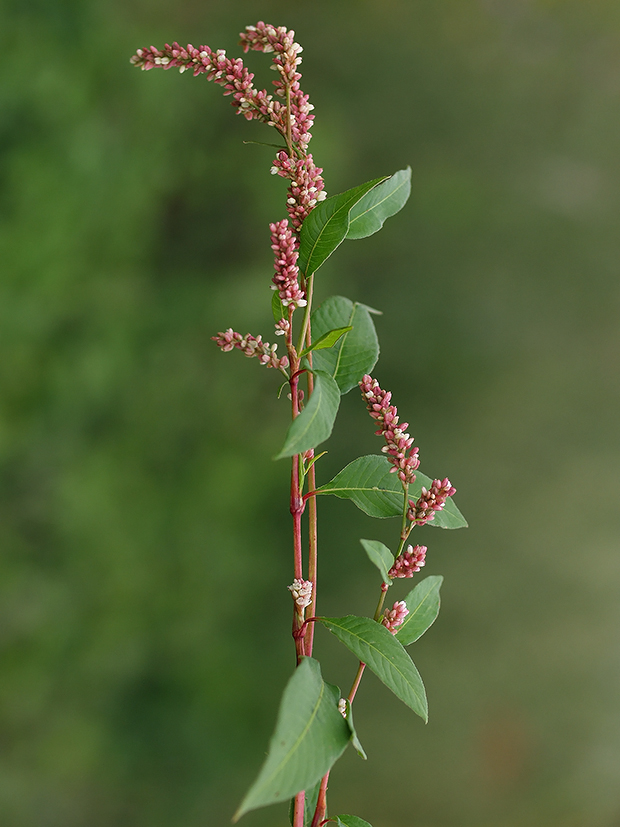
<point x="314" y="424"/>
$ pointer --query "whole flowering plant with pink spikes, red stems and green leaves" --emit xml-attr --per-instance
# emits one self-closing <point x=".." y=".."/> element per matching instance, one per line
<point x="331" y="349"/>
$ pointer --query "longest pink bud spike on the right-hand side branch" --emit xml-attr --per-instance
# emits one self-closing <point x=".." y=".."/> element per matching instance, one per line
<point x="403" y="457"/>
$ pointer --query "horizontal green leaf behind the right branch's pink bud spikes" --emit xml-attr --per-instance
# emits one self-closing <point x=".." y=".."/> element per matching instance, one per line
<point x="367" y="481"/>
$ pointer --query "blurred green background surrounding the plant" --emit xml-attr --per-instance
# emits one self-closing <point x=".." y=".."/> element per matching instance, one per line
<point x="144" y="617"/>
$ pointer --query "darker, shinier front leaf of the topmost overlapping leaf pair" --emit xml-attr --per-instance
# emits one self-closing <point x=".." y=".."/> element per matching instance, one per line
<point x="326" y="227"/>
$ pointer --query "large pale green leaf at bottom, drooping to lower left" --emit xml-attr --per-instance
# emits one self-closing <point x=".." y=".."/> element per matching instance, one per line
<point x="309" y="737"/>
